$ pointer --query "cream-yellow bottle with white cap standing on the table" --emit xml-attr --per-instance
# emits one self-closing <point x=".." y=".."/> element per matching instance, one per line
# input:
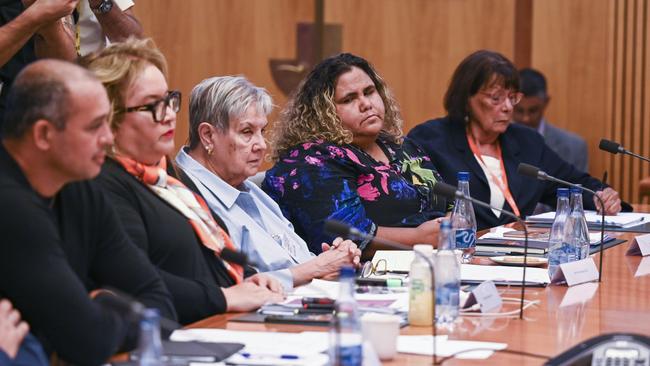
<point x="420" y="293"/>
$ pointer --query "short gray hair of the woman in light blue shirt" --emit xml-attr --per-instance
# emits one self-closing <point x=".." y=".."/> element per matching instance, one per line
<point x="216" y="100"/>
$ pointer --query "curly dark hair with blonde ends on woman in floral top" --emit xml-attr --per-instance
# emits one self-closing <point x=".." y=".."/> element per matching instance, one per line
<point x="311" y="113"/>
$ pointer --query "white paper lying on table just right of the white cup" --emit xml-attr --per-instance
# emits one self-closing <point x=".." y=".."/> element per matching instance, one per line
<point x="423" y="345"/>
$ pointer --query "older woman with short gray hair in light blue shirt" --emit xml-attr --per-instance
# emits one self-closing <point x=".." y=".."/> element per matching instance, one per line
<point x="228" y="116"/>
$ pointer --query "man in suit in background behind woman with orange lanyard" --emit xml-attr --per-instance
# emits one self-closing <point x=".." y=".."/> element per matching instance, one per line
<point x="530" y="112"/>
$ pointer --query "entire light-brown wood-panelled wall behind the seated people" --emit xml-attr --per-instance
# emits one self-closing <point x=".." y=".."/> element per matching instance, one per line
<point x="580" y="45"/>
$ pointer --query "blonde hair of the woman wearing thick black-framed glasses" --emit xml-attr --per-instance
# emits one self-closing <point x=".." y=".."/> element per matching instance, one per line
<point x="118" y="66"/>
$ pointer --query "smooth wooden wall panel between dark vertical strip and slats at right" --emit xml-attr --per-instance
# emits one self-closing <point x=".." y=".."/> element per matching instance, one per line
<point x="570" y="46"/>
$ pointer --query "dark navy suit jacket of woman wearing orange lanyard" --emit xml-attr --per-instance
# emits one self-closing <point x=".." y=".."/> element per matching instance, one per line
<point x="445" y="142"/>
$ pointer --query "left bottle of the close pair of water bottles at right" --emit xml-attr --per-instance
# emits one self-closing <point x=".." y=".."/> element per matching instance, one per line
<point x="559" y="250"/>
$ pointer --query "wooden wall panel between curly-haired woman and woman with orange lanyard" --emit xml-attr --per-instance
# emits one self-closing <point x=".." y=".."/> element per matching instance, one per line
<point x="416" y="44"/>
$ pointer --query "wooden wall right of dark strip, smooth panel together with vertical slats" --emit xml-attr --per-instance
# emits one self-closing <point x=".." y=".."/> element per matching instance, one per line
<point x="595" y="56"/>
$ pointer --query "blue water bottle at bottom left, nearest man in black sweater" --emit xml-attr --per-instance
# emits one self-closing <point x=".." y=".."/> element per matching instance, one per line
<point x="149" y="344"/>
